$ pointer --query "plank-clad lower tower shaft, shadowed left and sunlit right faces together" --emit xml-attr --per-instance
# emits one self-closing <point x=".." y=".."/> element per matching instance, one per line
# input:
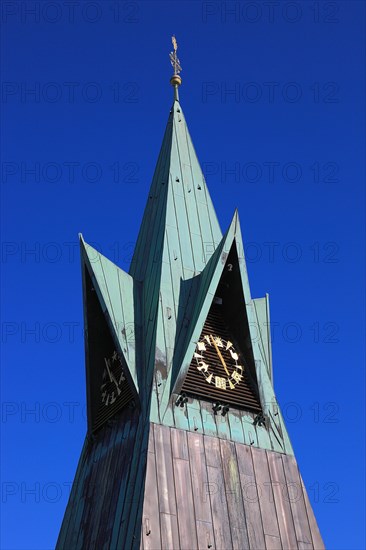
<point x="149" y="486"/>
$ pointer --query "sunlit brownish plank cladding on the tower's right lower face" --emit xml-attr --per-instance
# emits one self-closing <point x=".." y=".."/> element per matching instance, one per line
<point x="213" y="493"/>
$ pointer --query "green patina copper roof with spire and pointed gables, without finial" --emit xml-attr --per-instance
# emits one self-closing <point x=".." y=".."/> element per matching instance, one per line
<point x="177" y="264"/>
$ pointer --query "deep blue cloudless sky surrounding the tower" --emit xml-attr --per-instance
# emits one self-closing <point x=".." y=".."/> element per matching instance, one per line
<point x="92" y="131"/>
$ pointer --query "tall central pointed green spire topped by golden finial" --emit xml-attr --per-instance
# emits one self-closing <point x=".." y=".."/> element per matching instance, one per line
<point x="178" y="235"/>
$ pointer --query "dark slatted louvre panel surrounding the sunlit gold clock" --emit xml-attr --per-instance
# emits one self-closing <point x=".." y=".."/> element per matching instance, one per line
<point x="244" y="395"/>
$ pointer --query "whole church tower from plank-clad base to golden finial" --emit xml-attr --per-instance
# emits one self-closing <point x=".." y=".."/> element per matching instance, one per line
<point x="186" y="446"/>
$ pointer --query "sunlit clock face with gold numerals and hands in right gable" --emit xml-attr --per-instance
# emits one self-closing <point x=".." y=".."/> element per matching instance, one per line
<point x="219" y="362"/>
